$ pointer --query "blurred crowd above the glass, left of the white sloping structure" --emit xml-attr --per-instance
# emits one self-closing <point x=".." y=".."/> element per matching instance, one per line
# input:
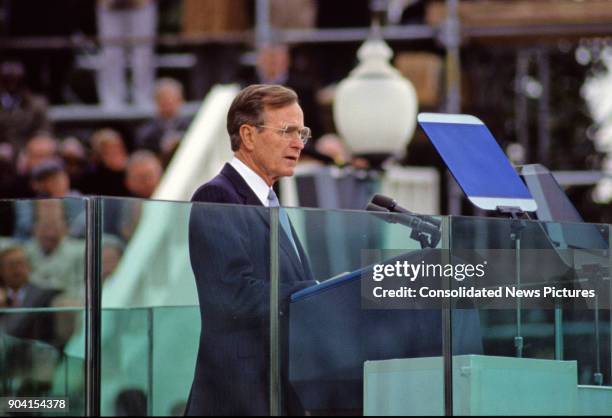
<point x="34" y="163"/>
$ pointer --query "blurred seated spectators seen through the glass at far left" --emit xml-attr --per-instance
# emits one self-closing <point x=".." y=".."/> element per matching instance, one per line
<point x="47" y="270"/>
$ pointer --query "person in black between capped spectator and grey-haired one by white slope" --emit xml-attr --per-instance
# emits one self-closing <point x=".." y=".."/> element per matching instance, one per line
<point x="109" y="163"/>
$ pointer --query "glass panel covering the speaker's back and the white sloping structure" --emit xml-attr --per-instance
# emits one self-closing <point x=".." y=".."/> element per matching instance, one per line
<point x="155" y="337"/>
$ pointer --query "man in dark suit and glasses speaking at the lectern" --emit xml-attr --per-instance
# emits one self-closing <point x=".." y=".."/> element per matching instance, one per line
<point x="229" y="250"/>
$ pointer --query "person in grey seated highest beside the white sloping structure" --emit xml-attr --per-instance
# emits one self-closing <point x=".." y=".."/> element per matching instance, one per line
<point x="162" y="134"/>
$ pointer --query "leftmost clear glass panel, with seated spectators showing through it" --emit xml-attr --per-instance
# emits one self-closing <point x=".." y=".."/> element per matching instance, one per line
<point x="42" y="282"/>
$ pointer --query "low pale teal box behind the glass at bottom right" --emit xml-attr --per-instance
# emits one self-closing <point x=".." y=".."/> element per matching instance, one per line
<point x="482" y="385"/>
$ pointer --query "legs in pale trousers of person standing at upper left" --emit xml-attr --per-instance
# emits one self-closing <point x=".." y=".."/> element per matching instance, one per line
<point x="132" y="19"/>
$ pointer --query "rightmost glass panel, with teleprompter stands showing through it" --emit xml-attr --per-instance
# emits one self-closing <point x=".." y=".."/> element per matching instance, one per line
<point x="538" y="347"/>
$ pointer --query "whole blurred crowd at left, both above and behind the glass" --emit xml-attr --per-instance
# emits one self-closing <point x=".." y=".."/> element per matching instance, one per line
<point x="42" y="234"/>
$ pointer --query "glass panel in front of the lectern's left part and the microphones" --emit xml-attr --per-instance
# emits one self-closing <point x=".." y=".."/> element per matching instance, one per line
<point x="339" y="356"/>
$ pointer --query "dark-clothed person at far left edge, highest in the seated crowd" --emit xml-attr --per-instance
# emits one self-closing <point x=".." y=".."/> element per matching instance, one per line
<point x="22" y="113"/>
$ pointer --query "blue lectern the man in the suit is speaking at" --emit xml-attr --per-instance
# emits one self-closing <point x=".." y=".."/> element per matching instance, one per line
<point x="331" y="336"/>
